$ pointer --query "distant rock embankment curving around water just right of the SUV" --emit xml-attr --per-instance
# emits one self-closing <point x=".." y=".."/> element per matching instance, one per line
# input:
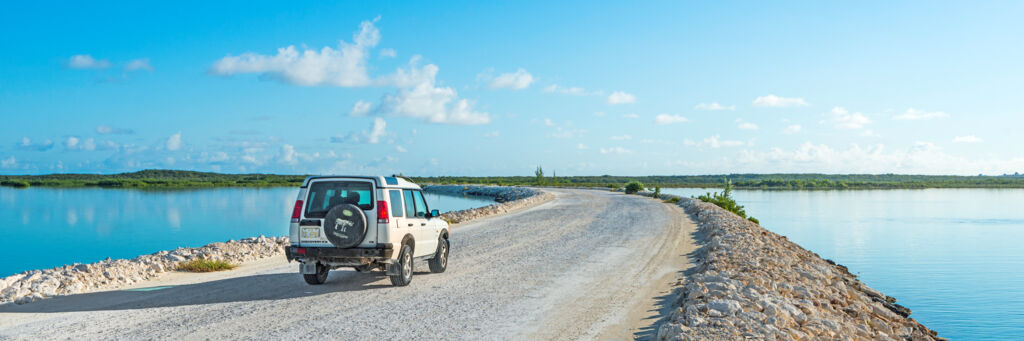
<point x="509" y="199"/>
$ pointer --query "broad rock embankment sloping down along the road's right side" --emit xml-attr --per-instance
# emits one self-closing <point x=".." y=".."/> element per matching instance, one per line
<point x="750" y="283"/>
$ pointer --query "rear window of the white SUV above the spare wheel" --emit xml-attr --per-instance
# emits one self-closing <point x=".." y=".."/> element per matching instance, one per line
<point x="326" y="195"/>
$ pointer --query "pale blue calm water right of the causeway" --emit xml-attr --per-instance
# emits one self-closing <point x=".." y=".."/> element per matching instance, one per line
<point x="953" y="257"/>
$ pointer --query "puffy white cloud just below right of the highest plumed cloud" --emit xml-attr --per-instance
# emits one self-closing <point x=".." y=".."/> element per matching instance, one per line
<point x="420" y="99"/>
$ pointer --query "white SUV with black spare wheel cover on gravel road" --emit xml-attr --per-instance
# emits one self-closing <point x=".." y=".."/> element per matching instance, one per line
<point x="368" y="224"/>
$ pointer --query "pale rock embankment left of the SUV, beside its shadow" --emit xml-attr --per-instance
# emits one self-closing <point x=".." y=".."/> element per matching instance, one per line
<point x="75" y="279"/>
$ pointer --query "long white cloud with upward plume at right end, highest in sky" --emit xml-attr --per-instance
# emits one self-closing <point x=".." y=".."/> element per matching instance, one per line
<point x="345" y="67"/>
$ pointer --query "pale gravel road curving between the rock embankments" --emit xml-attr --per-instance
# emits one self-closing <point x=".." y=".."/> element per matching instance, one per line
<point x="589" y="265"/>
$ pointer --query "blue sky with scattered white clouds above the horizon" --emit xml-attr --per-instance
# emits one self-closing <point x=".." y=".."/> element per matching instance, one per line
<point x="471" y="89"/>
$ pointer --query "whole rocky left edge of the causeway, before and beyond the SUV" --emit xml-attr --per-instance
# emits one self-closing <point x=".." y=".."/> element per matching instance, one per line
<point x="116" y="274"/>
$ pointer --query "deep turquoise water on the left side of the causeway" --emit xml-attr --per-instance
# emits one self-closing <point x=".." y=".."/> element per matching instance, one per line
<point x="48" y="228"/>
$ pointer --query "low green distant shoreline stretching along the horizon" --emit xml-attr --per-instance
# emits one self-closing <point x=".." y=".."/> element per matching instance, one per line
<point x="176" y="180"/>
